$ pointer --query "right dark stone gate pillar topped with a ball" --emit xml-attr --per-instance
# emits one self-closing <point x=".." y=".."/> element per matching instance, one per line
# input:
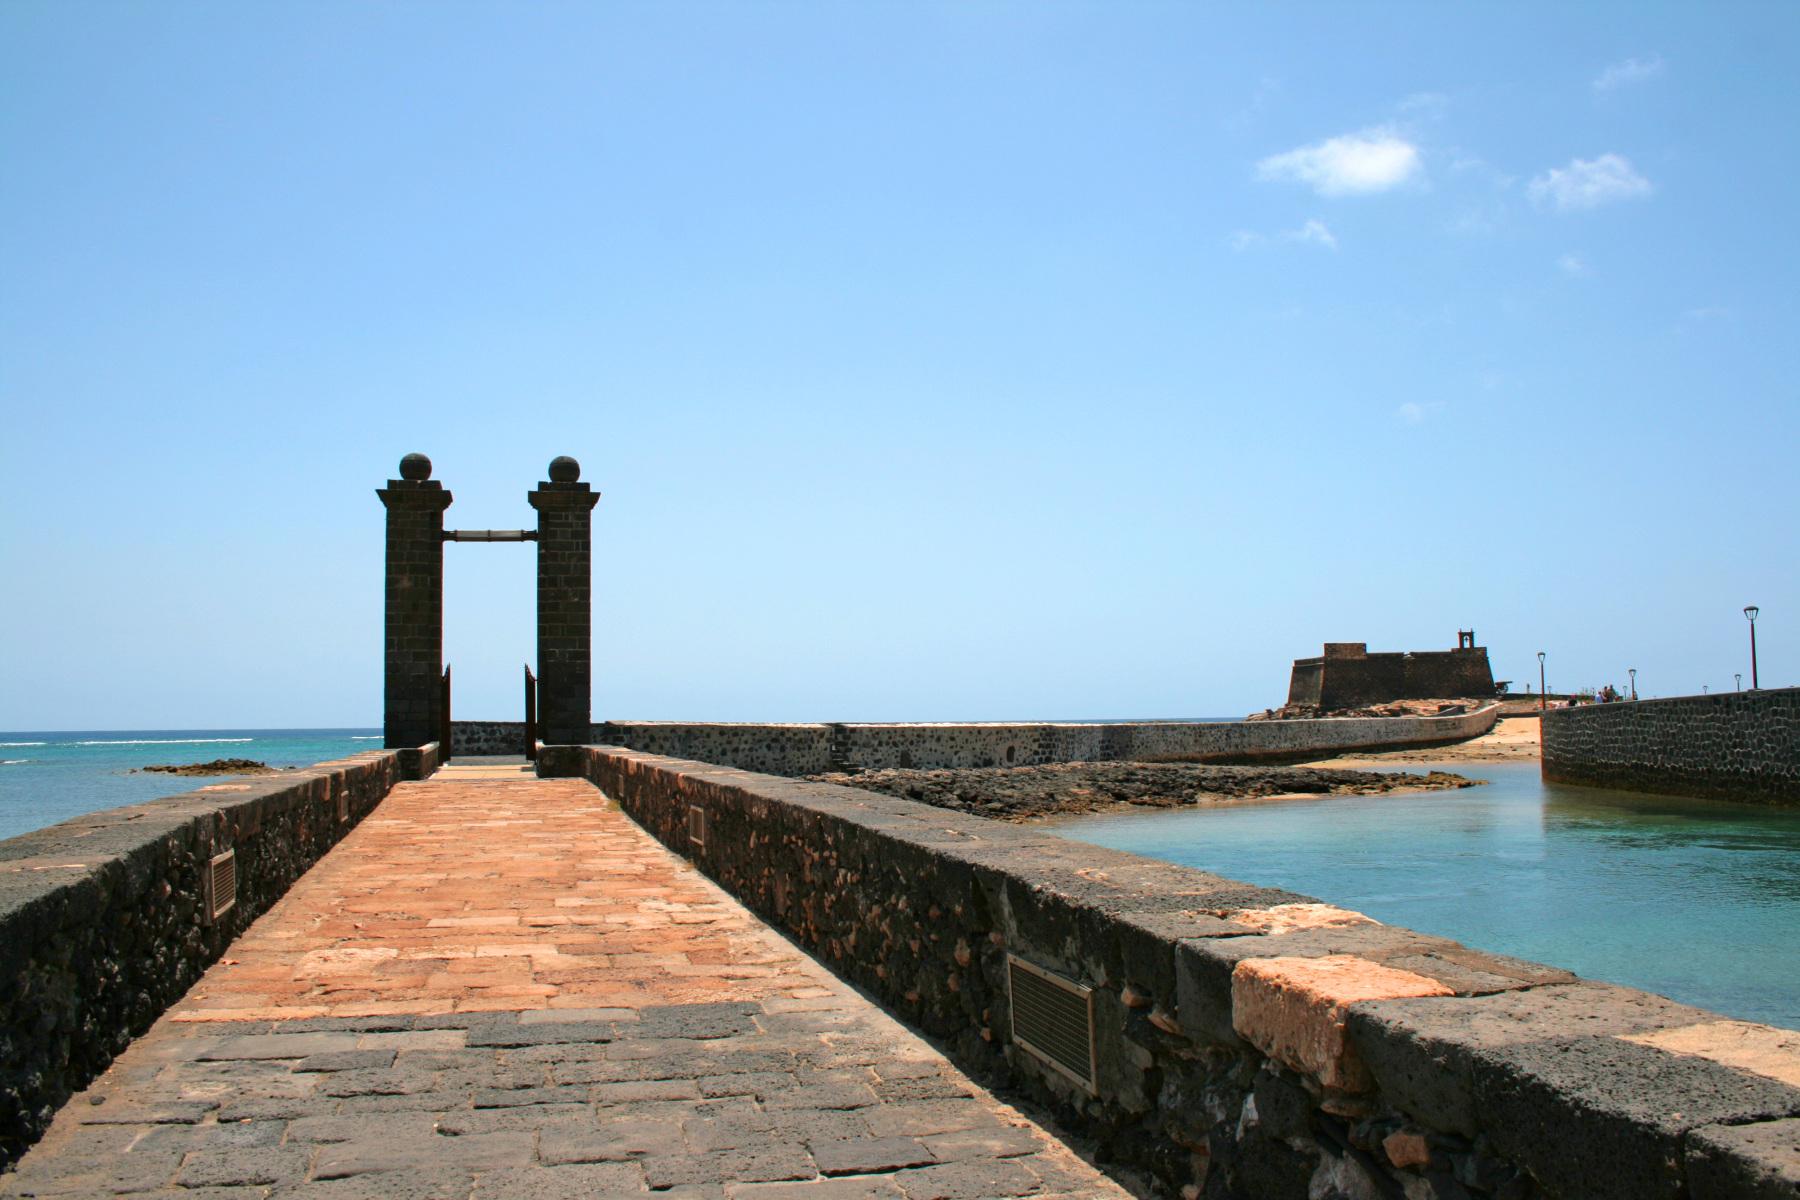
<point x="566" y="620"/>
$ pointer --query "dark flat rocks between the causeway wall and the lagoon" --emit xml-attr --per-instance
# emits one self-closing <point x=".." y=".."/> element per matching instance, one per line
<point x="1023" y="794"/>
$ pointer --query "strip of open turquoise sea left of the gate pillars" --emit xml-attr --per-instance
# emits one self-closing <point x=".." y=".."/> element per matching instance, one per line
<point x="51" y="778"/>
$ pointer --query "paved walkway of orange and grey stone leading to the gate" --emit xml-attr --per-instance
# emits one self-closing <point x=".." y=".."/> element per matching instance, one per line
<point x="499" y="987"/>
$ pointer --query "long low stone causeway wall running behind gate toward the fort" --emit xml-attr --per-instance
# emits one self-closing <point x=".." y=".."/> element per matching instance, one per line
<point x="822" y="748"/>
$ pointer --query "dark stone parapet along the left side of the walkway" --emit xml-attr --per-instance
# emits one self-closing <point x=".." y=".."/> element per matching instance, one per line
<point x="103" y="922"/>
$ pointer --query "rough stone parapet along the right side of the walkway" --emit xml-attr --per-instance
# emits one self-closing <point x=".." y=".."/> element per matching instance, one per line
<point x="1498" y="1080"/>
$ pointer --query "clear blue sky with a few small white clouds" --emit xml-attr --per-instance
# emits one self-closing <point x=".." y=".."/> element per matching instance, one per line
<point x="935" y="361"/>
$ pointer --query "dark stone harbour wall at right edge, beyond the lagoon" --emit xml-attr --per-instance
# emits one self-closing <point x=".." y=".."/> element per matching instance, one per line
<point x="1736" y="748"/>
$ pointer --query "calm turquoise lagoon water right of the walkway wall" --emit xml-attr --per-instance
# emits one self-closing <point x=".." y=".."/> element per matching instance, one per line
<point x="1696" y="900"/>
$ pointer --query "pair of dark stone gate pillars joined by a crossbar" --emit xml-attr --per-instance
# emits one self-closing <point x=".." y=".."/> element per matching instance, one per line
<point x="413" y="704"/>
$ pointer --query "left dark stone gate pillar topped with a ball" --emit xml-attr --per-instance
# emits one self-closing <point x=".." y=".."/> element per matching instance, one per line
<point x="415" y="634"/>
